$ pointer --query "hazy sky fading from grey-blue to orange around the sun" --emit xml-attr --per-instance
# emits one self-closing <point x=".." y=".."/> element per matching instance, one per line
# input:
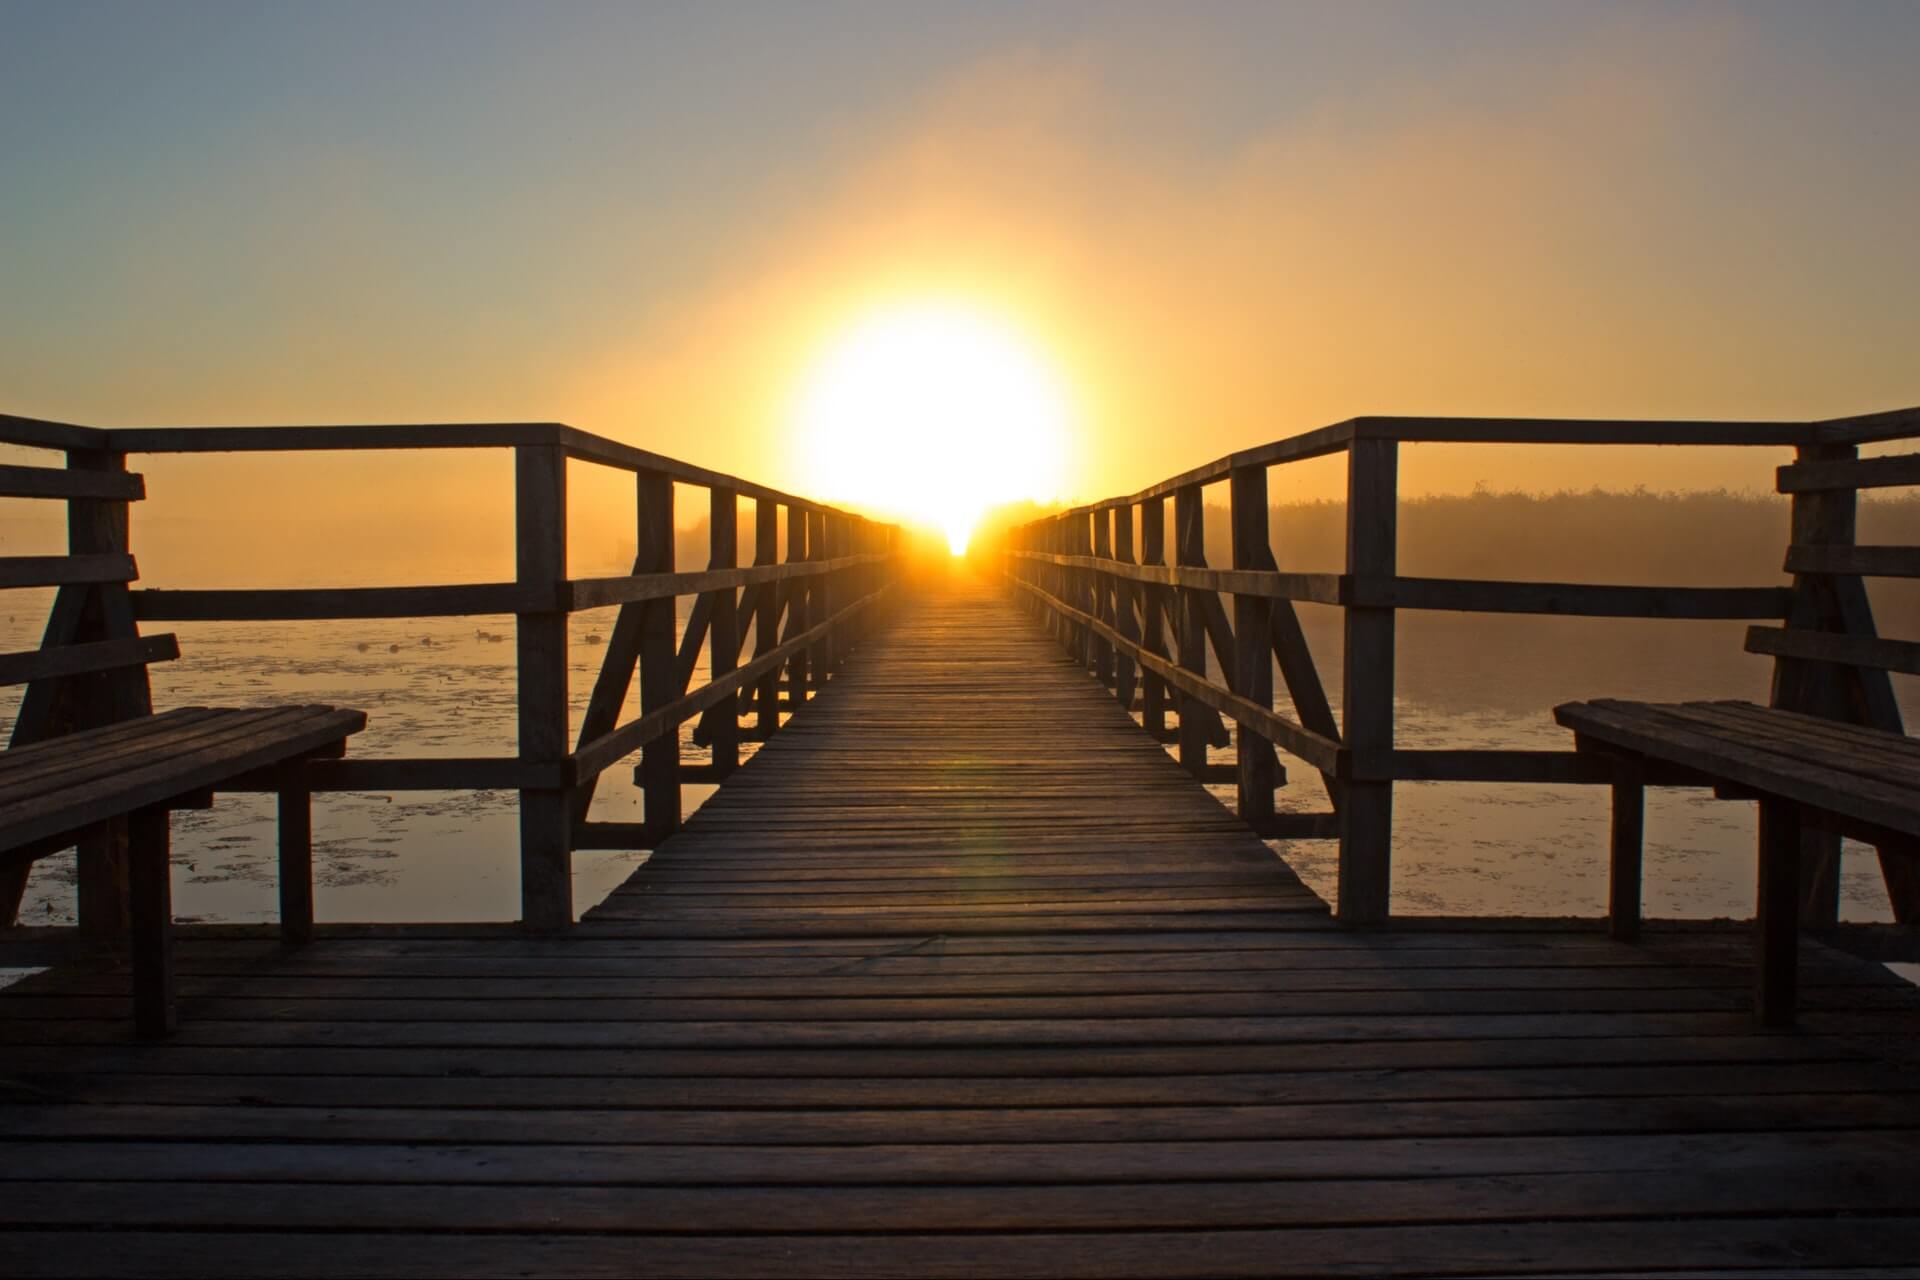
<point x="1212" y="224"/>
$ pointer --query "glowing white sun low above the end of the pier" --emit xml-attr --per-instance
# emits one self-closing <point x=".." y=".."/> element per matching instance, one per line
<point x="932" y="412"/>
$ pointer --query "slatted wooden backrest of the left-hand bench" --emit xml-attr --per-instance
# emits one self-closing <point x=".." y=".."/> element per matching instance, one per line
<point x="91" y="665"/>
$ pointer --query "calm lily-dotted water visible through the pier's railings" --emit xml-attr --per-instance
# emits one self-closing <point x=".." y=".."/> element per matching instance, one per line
<point x="444" y="688"/>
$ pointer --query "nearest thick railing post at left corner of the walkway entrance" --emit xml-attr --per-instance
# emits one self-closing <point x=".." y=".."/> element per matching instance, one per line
<point x="540" y="636"/>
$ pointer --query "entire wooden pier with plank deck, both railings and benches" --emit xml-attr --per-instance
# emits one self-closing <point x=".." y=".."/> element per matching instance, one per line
<point x="965" y="972"/>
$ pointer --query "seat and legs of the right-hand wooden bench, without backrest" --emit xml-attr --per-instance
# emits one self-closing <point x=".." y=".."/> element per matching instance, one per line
<point x="1810" y="774"/>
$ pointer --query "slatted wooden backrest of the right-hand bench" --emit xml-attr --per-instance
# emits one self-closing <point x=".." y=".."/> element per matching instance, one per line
<point x="1829" y="659"/>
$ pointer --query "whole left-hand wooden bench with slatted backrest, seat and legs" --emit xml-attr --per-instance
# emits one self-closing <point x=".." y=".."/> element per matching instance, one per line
<point x="89" y="765"/>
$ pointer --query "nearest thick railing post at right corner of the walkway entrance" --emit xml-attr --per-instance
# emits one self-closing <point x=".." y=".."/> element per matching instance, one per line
<point x="1368" y="705"/>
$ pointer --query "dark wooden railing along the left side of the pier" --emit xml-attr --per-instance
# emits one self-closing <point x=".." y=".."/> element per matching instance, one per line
<point x="805" y="609"/>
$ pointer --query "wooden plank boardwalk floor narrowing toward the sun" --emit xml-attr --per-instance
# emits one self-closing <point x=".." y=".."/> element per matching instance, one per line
<point x="963" y="978"/>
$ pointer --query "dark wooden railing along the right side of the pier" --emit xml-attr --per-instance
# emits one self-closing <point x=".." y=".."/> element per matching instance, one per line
<point x="1145" y="619"/>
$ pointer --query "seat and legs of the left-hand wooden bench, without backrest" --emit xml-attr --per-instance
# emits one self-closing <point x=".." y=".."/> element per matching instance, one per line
<point x="59" y="792"/>
